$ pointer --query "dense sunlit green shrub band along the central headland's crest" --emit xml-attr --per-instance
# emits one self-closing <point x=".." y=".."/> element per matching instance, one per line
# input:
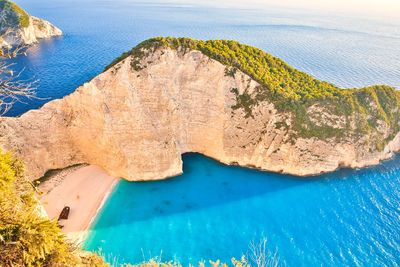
<point x="262" y="67"/>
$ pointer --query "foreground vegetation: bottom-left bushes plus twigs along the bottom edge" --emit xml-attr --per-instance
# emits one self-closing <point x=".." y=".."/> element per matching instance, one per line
<point x="29" y="239"/>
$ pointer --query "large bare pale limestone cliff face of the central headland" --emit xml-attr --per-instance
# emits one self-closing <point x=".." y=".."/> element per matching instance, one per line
<point x="137" y="118"/>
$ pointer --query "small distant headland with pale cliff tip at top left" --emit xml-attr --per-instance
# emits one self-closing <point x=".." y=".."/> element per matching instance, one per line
<point x="19" y="28"/>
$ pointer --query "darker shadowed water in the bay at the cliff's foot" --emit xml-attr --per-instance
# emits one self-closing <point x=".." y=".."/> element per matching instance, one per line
<point x="205" y="184"/>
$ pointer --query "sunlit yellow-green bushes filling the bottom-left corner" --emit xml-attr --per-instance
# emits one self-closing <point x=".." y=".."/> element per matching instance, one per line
<point x="27" y="238"/>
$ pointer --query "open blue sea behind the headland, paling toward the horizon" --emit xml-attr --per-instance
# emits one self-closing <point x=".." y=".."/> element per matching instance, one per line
<point x="346" y="51"/>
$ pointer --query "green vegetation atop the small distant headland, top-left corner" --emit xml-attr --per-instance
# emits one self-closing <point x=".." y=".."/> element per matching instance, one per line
<point x="15" y="15"/>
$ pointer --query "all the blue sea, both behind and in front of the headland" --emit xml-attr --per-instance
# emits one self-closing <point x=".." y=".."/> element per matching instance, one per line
<point x="347" y="218"/>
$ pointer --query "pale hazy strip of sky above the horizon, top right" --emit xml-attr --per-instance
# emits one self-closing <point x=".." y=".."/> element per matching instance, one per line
<point x="365" y="7"/>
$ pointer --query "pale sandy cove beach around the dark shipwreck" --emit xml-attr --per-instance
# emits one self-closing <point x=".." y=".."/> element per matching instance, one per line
<point x="84" y="190"/>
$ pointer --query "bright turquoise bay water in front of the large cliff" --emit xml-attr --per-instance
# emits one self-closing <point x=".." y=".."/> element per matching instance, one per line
<point x="213" y="211"/>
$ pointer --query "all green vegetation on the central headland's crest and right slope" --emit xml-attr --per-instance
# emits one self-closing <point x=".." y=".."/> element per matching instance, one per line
<point x="291" y="90"/>
